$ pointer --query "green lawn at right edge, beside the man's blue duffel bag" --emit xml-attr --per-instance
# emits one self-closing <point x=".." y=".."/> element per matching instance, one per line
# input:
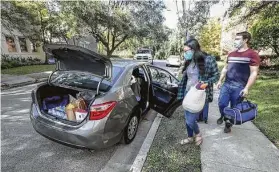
<point x="265" y="93"/>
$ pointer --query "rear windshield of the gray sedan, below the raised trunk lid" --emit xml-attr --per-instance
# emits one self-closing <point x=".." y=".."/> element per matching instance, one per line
<point x="85" y="80"/>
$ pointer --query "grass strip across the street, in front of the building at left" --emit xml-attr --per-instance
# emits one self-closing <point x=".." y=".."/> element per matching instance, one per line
<point x="28" y="69"/>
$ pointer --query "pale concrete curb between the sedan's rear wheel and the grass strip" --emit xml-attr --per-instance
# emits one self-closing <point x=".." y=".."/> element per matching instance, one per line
<point x="141" y="157"/>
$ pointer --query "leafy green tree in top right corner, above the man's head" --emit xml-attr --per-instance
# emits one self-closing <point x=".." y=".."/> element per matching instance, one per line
<point x="262" y="20"/>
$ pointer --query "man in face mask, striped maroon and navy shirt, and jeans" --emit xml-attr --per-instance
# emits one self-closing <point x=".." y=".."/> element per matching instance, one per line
<point x="240" y="72"/>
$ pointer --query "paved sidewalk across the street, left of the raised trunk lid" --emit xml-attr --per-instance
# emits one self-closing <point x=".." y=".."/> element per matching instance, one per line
<point x="10" y="81"/>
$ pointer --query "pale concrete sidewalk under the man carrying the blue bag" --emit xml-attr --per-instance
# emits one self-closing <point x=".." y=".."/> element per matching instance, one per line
<point x="245" y="149"/>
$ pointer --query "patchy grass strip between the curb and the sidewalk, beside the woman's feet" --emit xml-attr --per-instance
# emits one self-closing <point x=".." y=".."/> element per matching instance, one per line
<point x="166" y="154"/>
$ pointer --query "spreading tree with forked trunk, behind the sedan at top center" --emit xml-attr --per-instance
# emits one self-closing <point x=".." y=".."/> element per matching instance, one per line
<point x="114" y="22"/>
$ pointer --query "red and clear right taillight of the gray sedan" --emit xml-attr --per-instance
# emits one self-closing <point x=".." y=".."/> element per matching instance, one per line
<point x="101" y="110"/>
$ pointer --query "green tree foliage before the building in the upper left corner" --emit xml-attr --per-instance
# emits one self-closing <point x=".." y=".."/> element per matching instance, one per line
<point x="39" y="21"/>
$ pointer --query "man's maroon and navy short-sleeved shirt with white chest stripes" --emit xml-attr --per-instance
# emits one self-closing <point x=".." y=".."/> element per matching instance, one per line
<point x="239" y="66"/>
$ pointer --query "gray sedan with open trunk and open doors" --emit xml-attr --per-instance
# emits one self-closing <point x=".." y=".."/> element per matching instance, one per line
<point x="117" y="95"/>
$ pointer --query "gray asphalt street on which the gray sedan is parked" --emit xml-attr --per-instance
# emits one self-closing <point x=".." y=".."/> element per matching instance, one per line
<point x="25" y="150"/>
